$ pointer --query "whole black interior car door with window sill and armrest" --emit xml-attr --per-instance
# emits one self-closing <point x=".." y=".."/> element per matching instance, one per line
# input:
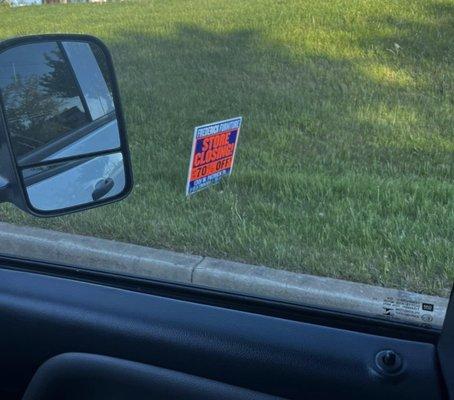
<point x="78" y="333"/>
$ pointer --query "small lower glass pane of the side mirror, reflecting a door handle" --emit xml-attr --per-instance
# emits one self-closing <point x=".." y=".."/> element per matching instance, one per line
<point x="75" y="183"/>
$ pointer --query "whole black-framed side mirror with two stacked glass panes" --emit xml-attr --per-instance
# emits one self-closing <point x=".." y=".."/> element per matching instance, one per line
<point x="63" y="141"/>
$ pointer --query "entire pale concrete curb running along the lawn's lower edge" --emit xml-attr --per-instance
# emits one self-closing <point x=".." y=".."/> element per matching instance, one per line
<point x="108" y="255"/>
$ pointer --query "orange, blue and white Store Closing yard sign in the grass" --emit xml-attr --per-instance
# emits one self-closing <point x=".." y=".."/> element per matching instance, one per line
<point x="213" y="153"/>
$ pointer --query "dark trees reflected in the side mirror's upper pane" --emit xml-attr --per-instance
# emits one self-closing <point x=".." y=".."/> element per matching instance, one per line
<point x="42" y="106"/>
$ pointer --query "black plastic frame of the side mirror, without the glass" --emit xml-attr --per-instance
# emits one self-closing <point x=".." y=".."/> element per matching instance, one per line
<point x="13" y="189"/>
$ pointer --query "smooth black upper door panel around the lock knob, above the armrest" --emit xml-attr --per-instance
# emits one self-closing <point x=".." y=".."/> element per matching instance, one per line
<point x="43" y="316"/>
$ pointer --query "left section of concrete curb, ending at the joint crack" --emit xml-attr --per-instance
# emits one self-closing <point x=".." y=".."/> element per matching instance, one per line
<point x="95" y="253"/>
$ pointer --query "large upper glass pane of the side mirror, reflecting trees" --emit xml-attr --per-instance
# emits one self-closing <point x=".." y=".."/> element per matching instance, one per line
<point x="58" y="100"/>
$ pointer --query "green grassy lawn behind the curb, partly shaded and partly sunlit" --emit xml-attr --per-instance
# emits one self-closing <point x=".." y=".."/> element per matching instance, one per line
<point x="345" y="166"/>
